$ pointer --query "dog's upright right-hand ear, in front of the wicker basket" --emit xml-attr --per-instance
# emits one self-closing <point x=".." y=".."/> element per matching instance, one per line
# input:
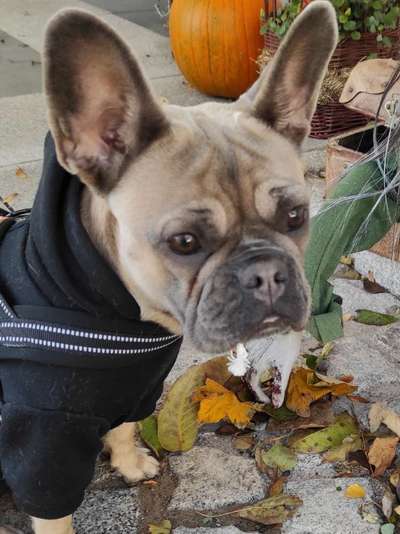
<point x="285" y="95"/>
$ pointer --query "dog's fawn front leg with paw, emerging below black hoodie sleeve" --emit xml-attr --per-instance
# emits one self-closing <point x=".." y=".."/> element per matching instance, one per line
<point x="133" y="462"/>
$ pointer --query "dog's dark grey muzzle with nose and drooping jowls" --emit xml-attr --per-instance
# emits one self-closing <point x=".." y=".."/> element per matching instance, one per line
<point x="258" y="291"/>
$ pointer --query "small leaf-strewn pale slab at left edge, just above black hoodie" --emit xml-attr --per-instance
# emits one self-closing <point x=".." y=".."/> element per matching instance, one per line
<point x="25" y="187"/>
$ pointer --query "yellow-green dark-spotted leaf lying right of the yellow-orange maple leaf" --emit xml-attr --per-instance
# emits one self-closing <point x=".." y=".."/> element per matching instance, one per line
<point x="329" y="437"/>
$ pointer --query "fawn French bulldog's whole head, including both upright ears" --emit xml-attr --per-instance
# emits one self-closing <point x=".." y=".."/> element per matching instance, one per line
<point x="203" y="211"/>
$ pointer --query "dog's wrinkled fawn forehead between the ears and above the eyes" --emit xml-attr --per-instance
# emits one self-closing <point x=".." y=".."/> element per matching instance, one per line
<point x="218" y="164"/>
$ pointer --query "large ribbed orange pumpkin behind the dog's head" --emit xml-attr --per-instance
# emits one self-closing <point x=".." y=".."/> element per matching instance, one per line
<point x="216" y="43"/>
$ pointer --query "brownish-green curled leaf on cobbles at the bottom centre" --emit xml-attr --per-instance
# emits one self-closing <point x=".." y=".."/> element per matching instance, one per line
<point x="272" y="511"/>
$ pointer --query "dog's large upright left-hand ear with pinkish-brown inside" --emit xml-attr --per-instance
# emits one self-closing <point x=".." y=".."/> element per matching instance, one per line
<point x="102" y="112"/>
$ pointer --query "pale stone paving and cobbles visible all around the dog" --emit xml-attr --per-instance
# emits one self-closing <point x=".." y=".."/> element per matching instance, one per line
<point x="213" y="475"/>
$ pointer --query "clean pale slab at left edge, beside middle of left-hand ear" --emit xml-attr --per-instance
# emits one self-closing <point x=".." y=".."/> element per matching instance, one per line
<point x="23" y="128"/>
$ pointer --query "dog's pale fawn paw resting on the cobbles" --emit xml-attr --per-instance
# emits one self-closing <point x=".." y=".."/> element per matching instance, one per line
<point x="138" y="465"/>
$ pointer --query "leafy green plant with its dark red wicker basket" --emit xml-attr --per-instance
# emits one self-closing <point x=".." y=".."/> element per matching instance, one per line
<point x="367" y="28"/>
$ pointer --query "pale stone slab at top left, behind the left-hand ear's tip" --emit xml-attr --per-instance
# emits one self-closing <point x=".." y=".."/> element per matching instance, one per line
<point x="26" y="21"/>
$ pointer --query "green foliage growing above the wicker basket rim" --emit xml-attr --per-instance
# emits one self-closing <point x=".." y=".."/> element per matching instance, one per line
<point x="354" y="18"/>
